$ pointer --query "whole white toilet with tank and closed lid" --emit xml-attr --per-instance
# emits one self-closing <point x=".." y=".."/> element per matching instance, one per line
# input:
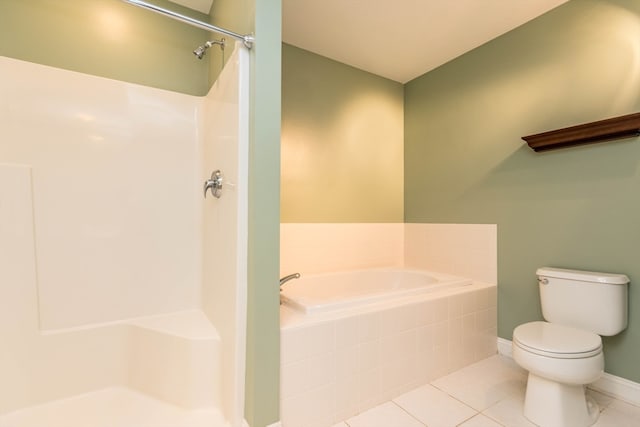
<point x="564" y="353"/>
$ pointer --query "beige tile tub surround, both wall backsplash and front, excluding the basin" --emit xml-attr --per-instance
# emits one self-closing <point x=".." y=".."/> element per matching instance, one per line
<point x="334" y="368"/>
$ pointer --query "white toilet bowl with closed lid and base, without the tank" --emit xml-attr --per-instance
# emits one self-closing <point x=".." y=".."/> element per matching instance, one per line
<point x="560" y="361"/>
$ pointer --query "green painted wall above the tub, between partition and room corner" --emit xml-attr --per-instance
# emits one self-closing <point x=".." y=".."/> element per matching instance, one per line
<point x="342" y="142"/>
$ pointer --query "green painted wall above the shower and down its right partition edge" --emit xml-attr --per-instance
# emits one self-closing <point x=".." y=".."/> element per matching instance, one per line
<point x="110" y="38"/>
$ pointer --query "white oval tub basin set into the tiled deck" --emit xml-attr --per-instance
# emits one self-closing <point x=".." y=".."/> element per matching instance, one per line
<point x="322" y="293"/>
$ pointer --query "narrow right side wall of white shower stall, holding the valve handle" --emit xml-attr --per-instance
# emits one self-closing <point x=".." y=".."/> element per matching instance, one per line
<point x="226" y="148"/>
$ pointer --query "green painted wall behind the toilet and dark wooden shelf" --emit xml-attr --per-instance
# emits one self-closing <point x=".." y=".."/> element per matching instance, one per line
<point x="576" y="207"/>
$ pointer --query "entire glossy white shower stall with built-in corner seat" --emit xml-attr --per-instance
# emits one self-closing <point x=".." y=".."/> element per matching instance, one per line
<point x="122" y="289"/>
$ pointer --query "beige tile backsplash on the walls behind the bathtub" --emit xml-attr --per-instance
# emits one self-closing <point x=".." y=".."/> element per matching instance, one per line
<point x="468" y="250"/>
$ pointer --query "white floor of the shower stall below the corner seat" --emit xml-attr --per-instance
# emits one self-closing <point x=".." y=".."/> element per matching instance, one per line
<point x="112" y="407"/>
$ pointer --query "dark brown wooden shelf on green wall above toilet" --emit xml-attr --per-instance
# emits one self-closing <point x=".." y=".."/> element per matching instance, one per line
<point x="604" y="130"/>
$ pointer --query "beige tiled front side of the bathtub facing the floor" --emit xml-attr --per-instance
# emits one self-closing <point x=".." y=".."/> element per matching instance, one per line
<point x="335" y="368"/>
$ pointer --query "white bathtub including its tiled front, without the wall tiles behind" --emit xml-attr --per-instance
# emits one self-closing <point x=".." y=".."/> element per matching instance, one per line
<point x="353" y="340"/>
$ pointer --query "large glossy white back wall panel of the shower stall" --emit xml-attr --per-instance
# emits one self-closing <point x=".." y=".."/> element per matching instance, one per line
<point x="116" y="188"/>
